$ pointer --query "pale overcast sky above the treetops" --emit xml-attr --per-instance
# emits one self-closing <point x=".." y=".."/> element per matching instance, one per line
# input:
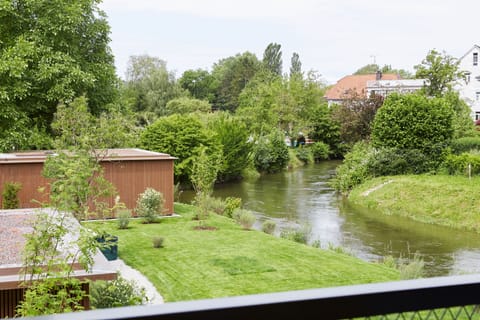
<point x="334" y="37"/>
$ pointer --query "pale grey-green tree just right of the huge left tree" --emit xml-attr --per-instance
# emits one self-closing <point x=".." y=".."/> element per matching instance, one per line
<point x="150" y="85"/>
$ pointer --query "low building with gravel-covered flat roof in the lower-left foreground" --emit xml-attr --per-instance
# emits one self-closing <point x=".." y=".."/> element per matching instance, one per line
<point x="14" y="224"/>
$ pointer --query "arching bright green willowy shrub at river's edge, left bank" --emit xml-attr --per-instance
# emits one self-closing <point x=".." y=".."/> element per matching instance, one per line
<point x="236" y="149"/>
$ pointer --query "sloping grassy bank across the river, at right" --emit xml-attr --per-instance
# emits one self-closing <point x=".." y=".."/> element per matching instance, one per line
<point x="444" y="200"/>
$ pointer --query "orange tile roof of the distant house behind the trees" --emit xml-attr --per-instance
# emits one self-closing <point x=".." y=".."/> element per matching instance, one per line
<point x="355" y="83"/>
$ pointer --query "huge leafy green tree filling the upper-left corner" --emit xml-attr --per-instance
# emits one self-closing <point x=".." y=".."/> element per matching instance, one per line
<point x="51" y="52"/>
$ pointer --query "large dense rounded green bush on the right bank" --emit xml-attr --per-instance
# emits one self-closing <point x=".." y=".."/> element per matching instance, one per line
<point x="413" y="121"/>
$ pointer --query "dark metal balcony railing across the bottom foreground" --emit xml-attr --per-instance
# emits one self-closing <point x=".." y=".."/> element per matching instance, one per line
<point x="328" y="303"/>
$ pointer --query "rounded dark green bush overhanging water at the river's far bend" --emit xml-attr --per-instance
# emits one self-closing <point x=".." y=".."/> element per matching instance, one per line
<point x="271" y="153"/>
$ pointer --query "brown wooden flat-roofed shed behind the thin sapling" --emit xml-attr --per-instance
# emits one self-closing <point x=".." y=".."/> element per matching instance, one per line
<point x="131" y="171"/>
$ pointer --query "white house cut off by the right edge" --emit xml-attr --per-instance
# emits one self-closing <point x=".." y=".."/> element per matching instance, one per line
<point x="469" y="89"/>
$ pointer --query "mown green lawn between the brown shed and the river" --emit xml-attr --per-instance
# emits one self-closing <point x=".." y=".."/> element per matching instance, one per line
<point x="230" y="261"/>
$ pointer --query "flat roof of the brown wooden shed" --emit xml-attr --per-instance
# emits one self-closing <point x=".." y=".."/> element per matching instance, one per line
<point x="110" y="155"/>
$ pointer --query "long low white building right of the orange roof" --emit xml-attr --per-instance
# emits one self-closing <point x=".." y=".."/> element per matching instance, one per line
<point x="385" y="87"/>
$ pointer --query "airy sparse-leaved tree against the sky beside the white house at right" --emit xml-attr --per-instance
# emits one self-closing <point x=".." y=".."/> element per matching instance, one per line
<point x="441" y="70"/>
